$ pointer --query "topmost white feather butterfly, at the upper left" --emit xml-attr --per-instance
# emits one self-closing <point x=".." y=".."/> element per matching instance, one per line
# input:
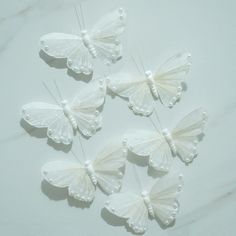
<point x="101" y="42"/>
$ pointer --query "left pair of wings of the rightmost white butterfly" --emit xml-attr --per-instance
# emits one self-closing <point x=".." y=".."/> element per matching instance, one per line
<point x="152" y="144"/>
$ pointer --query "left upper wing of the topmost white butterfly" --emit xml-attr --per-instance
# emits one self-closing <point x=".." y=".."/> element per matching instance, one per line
<point x="59" y="45"/>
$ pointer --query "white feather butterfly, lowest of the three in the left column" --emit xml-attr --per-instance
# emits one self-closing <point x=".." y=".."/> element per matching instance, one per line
<point x="106" y="170"/>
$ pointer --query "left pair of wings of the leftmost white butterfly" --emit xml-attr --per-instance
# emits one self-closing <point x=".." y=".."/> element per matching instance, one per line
<point x="44" y="115"/>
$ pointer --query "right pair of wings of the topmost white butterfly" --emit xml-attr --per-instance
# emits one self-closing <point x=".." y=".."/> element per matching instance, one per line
<point x="105" y="33"/>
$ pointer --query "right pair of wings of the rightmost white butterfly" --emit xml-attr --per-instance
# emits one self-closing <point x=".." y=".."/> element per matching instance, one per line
<point x="187" y="133"/>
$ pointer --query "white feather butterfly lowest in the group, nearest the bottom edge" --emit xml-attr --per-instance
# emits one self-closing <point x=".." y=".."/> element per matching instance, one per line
<point x="159" y="203"/>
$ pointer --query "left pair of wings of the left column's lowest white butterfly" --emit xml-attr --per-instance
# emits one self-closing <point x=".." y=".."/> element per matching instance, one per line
<point x="72" y="175"/>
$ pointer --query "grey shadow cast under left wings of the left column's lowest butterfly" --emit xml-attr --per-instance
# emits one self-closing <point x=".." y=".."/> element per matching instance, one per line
<point x="58" y="194"/>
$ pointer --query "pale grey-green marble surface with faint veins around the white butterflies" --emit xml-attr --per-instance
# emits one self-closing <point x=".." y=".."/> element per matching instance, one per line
<point x="157" y="28"/>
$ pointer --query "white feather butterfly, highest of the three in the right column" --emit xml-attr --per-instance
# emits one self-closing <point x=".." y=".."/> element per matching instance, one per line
<point x="142" y="90"/>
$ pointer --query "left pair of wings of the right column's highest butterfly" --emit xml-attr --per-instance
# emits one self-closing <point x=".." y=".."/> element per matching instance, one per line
<point x="135" y="89"/>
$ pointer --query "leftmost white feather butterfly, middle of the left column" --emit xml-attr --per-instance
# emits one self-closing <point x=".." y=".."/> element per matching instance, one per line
<point x="63" y="120"/>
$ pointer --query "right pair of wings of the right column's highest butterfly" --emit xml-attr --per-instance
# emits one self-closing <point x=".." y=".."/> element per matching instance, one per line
<point x="170" y="76"/>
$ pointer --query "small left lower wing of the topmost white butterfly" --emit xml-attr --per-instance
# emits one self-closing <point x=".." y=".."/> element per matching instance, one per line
<point x="80" y="61"/>
